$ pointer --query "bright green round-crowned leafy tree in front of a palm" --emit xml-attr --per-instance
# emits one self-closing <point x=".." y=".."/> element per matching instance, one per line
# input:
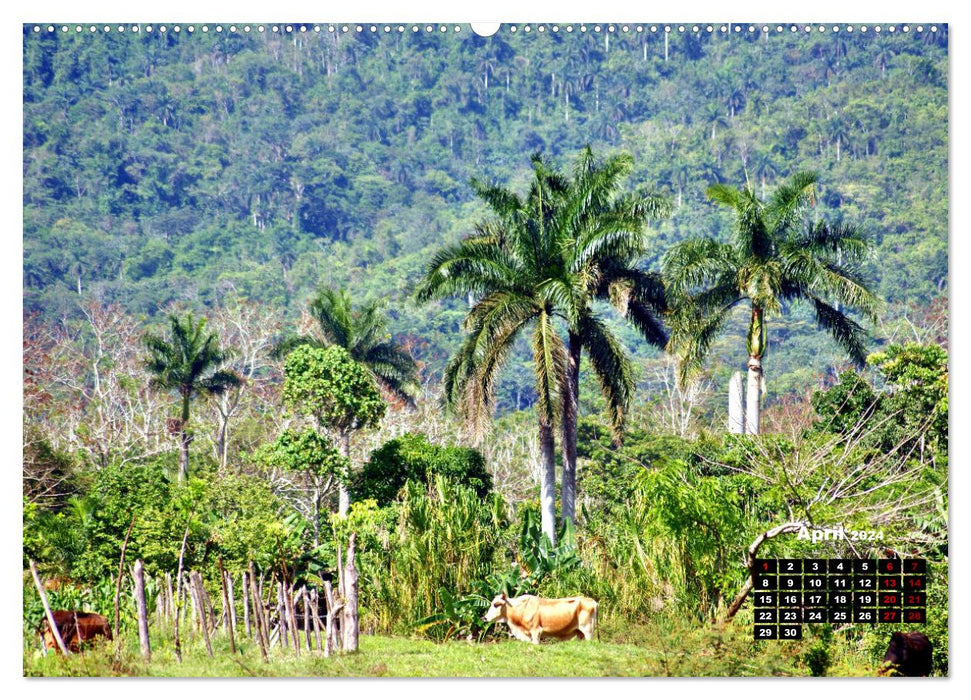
<point x="337" y="392"/>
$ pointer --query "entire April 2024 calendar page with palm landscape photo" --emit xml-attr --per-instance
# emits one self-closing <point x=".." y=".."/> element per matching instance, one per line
<point x="437" y="349"/>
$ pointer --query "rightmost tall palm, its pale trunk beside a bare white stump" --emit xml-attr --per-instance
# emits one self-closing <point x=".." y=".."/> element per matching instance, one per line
<point x="767" y="263"/>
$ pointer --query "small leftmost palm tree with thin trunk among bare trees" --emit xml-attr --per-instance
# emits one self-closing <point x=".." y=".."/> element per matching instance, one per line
<point x="187" y="362"/>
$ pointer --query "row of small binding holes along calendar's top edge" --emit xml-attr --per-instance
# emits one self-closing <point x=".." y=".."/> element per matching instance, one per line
<point x="511" y="28"/>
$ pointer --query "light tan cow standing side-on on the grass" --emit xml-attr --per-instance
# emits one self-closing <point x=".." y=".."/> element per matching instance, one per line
<point x="531" y="618"/>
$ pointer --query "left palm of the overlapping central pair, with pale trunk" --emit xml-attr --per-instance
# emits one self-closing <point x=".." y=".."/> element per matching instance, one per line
<point x="504" y="264"/>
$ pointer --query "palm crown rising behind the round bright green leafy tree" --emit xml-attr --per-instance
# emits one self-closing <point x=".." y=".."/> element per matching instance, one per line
<point x="363" y="333"/>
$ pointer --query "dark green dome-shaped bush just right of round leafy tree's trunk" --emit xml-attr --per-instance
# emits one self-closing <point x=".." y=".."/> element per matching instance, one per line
<point x="412" y="457"/>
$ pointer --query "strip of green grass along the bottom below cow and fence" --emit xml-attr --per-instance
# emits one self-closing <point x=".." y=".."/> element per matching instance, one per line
<point x="640" y="651"/>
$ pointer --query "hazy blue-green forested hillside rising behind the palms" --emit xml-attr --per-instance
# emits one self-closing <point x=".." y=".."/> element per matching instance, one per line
<point x="196" y="167"/>
